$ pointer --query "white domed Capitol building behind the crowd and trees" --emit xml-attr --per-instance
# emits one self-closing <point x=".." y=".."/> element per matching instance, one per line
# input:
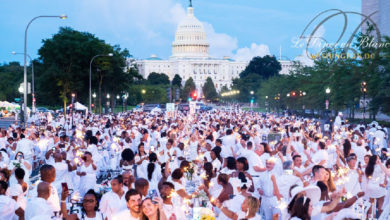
<point x="190" y="58"/>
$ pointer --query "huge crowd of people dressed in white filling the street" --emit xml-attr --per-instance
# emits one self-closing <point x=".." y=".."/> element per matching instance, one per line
<point x="207" y="165"/>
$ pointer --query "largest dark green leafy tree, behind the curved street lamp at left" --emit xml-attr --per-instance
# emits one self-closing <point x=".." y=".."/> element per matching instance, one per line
<point x="64" y="67"/>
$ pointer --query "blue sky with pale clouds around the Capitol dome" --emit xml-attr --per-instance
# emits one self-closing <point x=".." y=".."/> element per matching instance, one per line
<point x="240" y="29"/>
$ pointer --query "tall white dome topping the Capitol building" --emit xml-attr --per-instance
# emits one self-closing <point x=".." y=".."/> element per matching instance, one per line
<point x="190" y="38"/>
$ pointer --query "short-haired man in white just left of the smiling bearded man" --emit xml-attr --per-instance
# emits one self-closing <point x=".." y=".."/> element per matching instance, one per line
<point x="114" y="201"/>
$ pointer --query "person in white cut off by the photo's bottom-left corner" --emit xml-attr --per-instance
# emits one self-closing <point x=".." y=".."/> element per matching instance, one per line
<point x="8" y="206"/>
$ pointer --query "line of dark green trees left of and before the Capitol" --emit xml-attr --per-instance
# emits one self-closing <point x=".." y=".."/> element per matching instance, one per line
<point x="63" y="66"/>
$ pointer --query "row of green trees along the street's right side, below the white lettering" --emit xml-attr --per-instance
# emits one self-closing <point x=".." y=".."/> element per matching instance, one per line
<point x="342" y="76"/>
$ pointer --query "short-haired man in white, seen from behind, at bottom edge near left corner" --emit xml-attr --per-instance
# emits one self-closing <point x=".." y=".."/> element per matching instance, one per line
<point x="39" y="205"/>
